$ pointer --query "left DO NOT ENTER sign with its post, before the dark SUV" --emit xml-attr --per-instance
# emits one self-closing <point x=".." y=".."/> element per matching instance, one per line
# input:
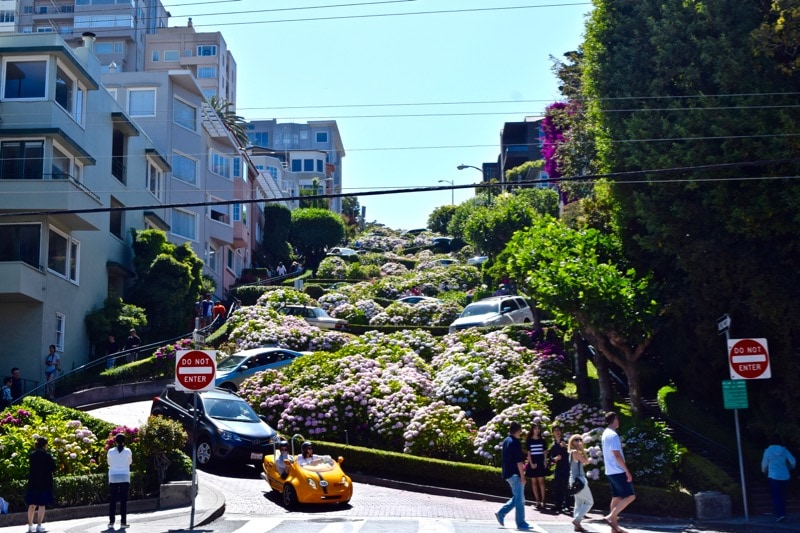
<point x="195" y="371"/>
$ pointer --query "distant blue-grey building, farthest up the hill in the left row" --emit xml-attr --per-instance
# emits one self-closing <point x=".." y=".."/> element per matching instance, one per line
<point x="311" y="154"/>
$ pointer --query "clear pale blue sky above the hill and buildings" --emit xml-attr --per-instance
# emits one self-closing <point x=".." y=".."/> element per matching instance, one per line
<point x="417" y="87"/>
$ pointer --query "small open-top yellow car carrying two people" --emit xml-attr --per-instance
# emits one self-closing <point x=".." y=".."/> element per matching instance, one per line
<point x="324" y="482"/>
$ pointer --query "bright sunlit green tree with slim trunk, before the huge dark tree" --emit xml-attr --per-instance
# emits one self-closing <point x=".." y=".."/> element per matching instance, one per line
<point x="581" y="277"/>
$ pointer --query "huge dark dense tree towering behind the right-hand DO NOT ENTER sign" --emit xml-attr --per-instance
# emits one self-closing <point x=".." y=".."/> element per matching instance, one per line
<point x="698" y="126"/>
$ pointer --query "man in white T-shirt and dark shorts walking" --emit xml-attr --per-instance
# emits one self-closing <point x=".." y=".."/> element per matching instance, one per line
<point x="619" y="476"/>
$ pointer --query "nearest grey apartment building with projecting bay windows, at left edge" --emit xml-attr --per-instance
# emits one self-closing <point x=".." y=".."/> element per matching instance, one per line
<point x="68" y="153"/>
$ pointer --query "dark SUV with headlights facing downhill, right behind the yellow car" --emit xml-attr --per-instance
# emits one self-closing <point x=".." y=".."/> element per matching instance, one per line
<point x="227" y="427"/>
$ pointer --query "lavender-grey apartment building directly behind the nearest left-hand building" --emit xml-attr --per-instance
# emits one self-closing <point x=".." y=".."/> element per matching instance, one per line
<point x="206" y="166"/>
